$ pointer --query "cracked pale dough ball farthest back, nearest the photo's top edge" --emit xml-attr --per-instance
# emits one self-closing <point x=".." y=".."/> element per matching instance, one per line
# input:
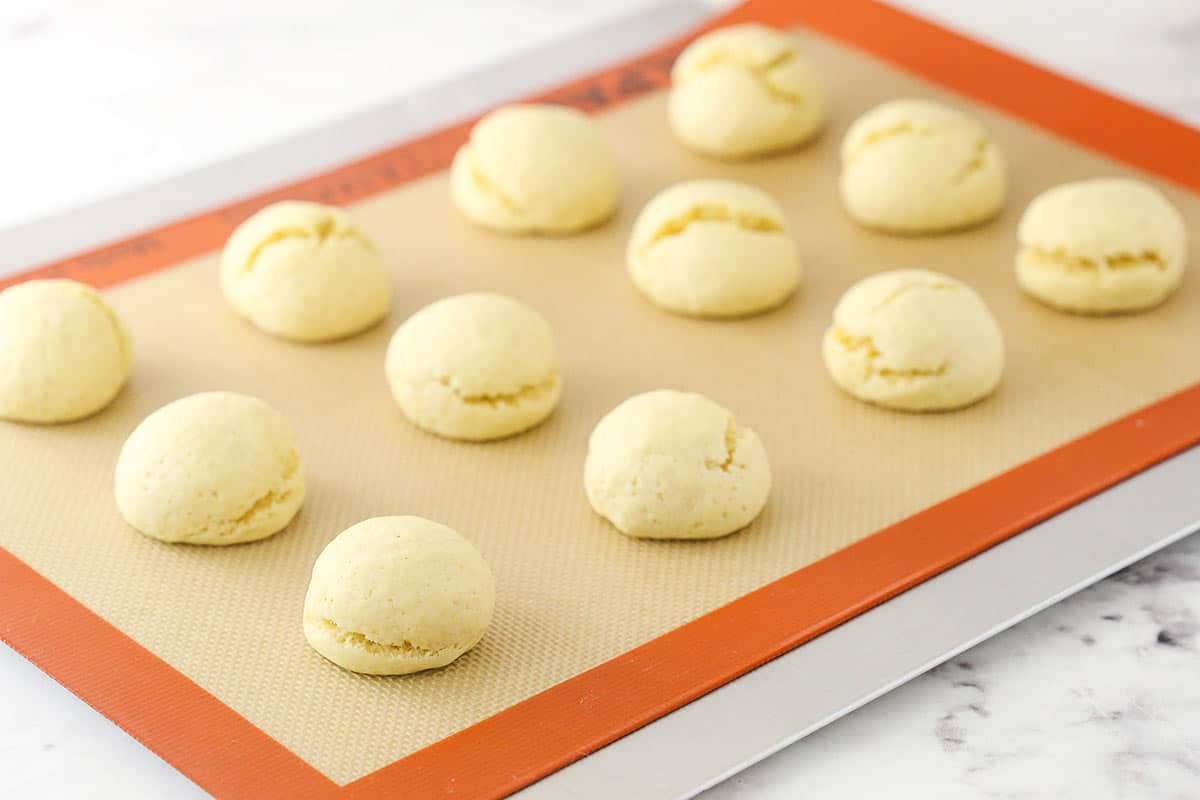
<point x="745" y="92"/>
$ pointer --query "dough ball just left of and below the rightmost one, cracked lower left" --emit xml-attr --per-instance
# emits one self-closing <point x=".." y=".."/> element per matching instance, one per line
<point x="915" y="341"/>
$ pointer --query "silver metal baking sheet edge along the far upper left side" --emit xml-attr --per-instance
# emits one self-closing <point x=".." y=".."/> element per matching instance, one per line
<point x="343" y="141"/>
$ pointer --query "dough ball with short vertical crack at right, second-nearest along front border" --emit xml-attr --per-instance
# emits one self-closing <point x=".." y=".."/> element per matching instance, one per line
<point x="671" y="465"/>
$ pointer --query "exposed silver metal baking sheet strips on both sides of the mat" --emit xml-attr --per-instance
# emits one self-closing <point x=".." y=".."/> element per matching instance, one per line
<point x="761" y="713"/>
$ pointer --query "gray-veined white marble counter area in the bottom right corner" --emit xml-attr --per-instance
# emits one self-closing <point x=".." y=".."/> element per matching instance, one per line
<point x="1096" y="697"/>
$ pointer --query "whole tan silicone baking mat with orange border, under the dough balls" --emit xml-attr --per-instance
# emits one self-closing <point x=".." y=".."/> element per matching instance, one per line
<point x="199" y="652"/>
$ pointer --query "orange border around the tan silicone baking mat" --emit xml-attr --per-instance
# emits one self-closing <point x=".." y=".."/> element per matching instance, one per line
<point x="229" y="756"/>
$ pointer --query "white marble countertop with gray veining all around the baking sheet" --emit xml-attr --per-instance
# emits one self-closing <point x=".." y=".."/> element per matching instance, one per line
<point x="1096" y="697"/>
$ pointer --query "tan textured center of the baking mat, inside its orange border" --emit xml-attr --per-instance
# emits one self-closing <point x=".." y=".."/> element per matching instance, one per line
<point x="573" y="593"/>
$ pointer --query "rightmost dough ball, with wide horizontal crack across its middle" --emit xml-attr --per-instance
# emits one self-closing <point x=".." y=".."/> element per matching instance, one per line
<point x="1101" y="246"/>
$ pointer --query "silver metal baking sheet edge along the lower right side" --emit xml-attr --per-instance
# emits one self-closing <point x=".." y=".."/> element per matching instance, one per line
<point x="764" y="712"/>
